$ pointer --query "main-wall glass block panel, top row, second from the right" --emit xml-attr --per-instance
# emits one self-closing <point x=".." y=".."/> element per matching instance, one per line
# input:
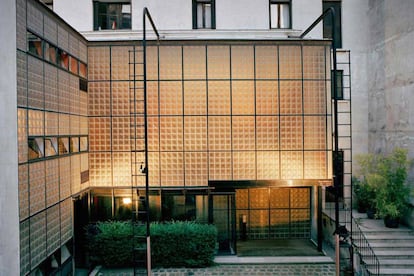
<point x="290" y="64"/>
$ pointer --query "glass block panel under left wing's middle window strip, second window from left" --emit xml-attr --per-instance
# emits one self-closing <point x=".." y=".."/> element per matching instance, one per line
<point x="52" y="181"/>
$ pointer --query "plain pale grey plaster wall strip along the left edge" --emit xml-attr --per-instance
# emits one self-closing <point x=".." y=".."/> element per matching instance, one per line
<point x="9" y="215"/>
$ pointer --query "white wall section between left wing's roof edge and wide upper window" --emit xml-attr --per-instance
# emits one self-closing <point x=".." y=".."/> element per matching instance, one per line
<point x="77" y="13"/>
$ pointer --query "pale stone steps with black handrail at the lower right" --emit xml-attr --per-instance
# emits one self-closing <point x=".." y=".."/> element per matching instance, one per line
<point x="394" y="248"/>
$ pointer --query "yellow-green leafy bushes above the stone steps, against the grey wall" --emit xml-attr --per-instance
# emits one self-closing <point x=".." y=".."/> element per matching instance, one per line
<point x="385" y="176"/>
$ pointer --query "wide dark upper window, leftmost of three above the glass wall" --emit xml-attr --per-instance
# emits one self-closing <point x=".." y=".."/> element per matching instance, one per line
<point x="111" y="16"/>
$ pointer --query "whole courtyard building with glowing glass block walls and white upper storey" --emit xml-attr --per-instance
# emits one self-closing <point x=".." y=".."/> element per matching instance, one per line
<point x="240" y="121"/>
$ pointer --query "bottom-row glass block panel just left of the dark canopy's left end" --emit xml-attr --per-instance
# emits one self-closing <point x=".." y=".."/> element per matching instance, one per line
<point x="196" y="171"/>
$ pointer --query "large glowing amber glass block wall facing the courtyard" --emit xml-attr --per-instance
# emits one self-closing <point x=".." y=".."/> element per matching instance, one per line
<point x="227" y="111"/>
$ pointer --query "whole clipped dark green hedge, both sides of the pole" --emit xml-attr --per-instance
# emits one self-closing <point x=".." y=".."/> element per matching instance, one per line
<point x="173" y="244"/>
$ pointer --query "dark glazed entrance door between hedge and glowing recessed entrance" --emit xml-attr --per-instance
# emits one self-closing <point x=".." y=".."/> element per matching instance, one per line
<point x="222" y="214"/>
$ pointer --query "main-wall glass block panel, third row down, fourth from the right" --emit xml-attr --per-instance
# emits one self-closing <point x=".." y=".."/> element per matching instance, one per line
<point x="243" y="133"/>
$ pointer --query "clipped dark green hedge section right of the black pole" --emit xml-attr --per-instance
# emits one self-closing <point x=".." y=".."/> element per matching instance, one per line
<point x="183" y="244"/>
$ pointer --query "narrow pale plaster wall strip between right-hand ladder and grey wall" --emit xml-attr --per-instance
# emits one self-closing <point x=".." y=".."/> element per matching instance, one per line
<point x="355" y="37"/>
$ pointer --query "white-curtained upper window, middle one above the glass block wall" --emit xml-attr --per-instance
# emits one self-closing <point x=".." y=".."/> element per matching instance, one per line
<point x="204" y="14"/>
